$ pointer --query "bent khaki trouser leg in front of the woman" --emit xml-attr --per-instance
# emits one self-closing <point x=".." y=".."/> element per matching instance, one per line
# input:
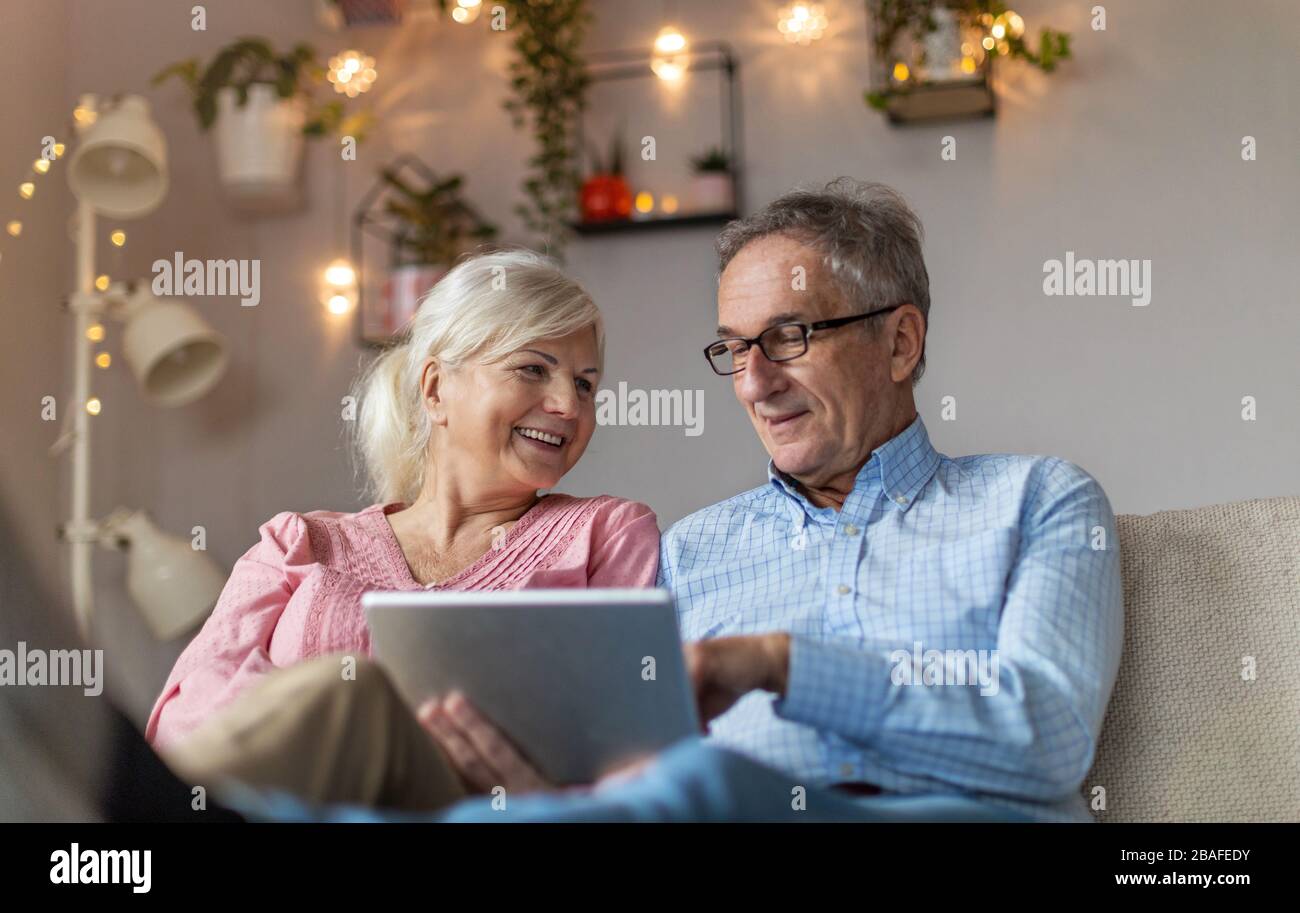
<point x="326" y="738"/>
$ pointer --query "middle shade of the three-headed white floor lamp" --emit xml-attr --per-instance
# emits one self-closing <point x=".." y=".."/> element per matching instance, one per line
<point x="174" y="353"/>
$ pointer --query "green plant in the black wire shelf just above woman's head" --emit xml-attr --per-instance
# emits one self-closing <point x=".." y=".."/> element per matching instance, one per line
<point x="436" y="224"/>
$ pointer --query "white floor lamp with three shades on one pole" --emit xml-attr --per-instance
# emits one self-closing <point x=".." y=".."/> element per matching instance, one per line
<point x="120" y="170"/>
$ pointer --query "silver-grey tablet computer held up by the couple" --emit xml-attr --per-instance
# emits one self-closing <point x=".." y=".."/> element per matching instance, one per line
<point x="582" y="681"/>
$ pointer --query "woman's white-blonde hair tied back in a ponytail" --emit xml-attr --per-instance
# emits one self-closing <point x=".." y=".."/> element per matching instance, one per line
<point x="487" y="308"/>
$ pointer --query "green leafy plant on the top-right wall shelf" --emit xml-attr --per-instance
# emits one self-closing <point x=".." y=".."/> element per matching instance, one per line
<point x="896" y="19"/>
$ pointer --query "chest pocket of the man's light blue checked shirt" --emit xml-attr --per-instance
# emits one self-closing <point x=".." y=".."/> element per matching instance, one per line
<point x="950" y="594"/>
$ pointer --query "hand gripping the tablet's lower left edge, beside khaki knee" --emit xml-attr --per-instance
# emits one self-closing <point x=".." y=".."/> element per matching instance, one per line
<point x="479" y="751"/>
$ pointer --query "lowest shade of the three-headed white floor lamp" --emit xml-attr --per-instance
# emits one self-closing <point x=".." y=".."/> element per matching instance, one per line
<point x="174" y="585"/>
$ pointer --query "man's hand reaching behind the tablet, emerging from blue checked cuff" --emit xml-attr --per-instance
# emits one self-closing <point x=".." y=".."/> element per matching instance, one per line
<point x="726" y="669"/>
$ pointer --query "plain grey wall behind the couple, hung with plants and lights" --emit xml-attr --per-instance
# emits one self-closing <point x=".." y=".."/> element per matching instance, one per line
<point x="1133" y="150"/>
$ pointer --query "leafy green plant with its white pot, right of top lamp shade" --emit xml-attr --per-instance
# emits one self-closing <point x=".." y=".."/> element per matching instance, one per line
<point x="261" y="106"/>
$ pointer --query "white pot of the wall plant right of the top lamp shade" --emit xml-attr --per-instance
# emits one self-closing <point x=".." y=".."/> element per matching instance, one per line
<point x="261" y="149"/>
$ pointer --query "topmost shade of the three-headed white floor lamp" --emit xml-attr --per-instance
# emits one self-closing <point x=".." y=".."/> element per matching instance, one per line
<point x="120" y="165"/>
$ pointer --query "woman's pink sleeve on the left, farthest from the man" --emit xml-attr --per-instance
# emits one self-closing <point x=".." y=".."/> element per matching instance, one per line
<point x="232" y="651"/>
